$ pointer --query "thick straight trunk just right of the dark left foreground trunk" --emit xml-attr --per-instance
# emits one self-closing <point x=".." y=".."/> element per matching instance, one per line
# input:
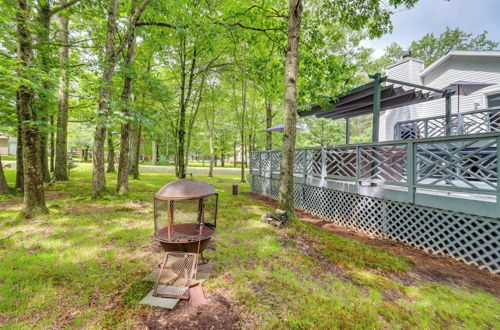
<point x="61" y="165"/>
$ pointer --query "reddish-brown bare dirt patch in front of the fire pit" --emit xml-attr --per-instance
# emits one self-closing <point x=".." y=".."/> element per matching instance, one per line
<point x="218" y="313"/>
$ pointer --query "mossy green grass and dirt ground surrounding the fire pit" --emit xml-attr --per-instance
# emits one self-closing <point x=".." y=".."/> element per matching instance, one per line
<point x="82" y="265"/>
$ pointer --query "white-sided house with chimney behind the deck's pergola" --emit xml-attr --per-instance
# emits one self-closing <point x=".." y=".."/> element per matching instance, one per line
<point x="473" y="66"/>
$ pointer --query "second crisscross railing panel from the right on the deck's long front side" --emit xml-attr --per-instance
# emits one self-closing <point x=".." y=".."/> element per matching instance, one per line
<point x="384" y="163"/>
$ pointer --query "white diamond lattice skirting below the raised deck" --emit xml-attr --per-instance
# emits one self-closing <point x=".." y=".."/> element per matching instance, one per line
<point x="468" y="238"/>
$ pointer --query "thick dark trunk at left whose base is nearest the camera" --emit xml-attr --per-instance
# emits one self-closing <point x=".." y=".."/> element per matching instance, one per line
<point x="34" y="196"/>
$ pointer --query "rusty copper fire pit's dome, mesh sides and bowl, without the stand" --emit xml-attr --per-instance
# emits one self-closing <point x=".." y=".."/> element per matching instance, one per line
<point x="185" y="214"/>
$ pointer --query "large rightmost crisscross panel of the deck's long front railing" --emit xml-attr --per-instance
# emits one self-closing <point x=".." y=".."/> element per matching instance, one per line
<point x="462" y="164"/>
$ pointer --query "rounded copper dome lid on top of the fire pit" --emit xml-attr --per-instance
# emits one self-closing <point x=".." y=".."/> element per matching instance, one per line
<point x="184" y="189"/>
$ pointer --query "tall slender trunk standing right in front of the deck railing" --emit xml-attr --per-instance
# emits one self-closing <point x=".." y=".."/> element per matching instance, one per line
<point x="291" y="69"/>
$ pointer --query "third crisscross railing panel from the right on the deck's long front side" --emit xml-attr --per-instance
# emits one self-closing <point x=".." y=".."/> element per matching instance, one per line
<point x="341" y="162"/>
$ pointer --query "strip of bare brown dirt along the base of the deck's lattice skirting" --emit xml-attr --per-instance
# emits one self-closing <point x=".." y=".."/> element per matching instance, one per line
<point x="428" y="267"/>
